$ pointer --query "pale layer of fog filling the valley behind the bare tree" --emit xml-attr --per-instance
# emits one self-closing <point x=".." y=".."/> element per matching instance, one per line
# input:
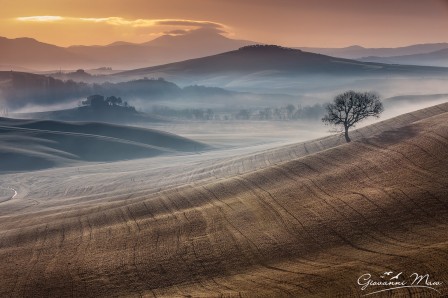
<point x="277" y="93"/>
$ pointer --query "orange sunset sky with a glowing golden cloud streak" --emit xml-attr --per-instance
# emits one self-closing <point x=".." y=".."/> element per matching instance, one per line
<point x="315" y="23"/>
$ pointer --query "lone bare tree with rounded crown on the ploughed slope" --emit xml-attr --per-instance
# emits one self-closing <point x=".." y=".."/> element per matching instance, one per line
<point x="350" y="108"/>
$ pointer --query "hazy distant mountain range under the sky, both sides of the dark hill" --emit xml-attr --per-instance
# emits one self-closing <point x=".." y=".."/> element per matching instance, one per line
<point x="27" y="54"/>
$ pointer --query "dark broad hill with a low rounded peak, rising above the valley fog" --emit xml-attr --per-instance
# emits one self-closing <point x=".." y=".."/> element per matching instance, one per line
<point x="271" y="62"/>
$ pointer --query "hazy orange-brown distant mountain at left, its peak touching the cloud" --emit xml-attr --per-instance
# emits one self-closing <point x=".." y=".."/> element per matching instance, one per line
<point x="29" y="53"/>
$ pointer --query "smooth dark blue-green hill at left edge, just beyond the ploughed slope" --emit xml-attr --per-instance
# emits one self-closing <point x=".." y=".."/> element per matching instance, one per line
<point x="35" y="144"/>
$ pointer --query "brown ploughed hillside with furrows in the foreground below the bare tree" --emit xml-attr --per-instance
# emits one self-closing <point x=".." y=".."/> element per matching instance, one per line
<point x="306" y="220"/>
